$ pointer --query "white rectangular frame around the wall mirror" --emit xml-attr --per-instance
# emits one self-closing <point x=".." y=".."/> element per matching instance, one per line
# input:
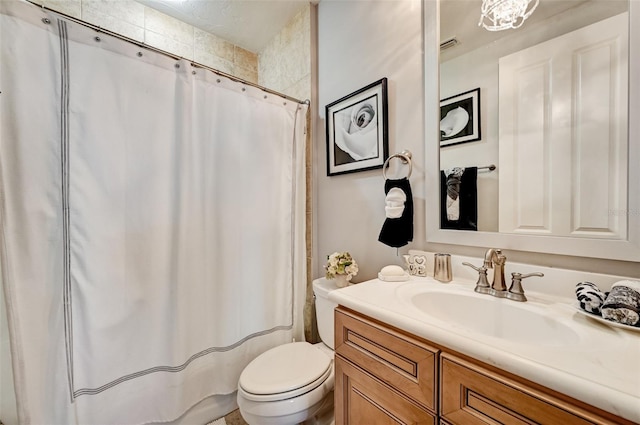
<point x="626" y="250"/>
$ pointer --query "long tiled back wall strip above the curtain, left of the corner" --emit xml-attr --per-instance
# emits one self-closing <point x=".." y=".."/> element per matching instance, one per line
<point x="148" y="26"/>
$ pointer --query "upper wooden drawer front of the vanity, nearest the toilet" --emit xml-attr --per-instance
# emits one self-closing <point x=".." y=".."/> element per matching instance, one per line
<point x="395" y="358"/>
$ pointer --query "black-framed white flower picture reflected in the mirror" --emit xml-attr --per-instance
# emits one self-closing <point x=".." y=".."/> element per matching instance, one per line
<point x="460" y="118"/>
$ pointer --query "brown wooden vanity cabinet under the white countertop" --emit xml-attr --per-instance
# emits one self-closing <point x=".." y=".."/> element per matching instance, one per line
<point x="387" y="376"/>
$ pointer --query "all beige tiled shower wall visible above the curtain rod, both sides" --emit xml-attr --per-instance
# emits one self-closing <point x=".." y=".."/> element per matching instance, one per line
<point x="284" y="65"/>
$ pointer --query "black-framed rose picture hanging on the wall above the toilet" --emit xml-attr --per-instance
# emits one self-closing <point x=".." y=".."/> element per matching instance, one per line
<point x="357" y="130"/>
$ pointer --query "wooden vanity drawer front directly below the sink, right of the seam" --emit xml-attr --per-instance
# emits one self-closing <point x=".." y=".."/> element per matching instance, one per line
<point x="474" y="395"/>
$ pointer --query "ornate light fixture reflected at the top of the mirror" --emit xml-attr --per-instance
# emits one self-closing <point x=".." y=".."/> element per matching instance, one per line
<point x="498" y="15"/>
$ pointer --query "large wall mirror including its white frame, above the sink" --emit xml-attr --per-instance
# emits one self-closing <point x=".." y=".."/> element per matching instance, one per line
<point x="552" y="105"/>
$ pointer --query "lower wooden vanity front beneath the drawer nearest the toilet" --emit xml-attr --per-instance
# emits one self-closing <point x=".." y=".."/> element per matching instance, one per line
<point x="363" y="400"/>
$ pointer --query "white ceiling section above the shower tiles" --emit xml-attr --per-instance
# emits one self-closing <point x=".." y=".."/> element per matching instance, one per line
<point x="250" y="24"/>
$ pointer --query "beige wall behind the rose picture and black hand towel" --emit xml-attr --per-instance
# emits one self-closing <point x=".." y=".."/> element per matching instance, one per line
<point x="359" y="43"/>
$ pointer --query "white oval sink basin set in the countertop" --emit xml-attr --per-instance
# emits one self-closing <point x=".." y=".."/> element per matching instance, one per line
<point x="494" y="317"/>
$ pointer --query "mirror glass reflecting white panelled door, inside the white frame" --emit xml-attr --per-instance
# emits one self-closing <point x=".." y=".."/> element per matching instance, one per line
<point x="552" y="115"/>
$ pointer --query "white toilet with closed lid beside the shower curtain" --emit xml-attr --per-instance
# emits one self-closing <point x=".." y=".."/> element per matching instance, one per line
<point x="293" y="383"/>
